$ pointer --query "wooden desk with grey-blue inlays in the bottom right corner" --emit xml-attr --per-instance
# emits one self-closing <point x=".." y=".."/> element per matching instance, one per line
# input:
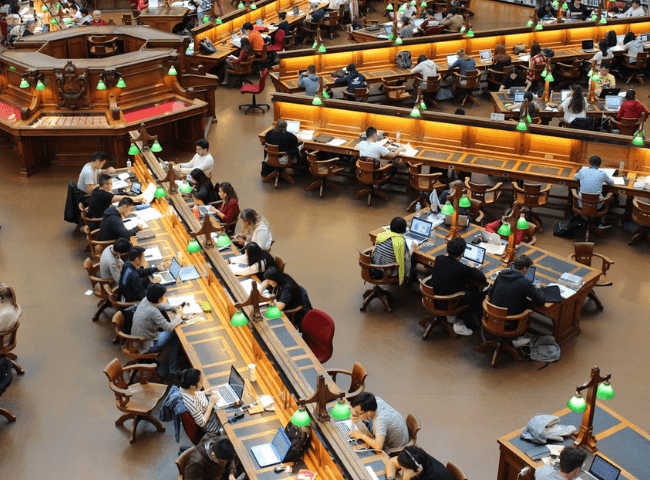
<point x="619" y="441"/>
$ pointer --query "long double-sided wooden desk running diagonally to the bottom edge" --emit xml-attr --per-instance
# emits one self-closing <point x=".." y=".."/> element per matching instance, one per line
<point x="285" y="367"/>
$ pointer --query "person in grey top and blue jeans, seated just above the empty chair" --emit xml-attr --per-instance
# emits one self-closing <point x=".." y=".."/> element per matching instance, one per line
<point x="151" y="321"/>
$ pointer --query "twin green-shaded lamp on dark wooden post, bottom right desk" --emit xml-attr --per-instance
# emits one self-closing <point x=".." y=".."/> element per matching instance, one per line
<point x="597" y="387"/>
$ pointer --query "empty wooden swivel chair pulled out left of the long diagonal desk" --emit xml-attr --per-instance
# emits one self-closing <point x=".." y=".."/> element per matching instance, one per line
<point x="135" y="401"/>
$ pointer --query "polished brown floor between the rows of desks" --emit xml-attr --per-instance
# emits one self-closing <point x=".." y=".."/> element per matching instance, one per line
<point x="66" y="412"/>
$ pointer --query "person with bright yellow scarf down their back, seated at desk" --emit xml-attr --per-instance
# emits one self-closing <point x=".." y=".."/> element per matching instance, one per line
<point x="390" y="247"/>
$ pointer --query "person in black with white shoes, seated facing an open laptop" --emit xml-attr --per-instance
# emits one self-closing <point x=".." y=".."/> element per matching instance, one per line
<point x="449" y="275"/>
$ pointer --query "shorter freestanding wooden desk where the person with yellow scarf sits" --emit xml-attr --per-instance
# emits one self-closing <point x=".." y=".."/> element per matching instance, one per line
<point x="565" y="314"/>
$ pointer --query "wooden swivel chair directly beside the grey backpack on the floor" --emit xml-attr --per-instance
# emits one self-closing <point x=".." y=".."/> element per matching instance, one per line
<point x="496" y="321"/>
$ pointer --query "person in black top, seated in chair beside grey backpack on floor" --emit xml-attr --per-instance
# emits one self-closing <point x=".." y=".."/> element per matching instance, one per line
<point x="512" y="289"/>
